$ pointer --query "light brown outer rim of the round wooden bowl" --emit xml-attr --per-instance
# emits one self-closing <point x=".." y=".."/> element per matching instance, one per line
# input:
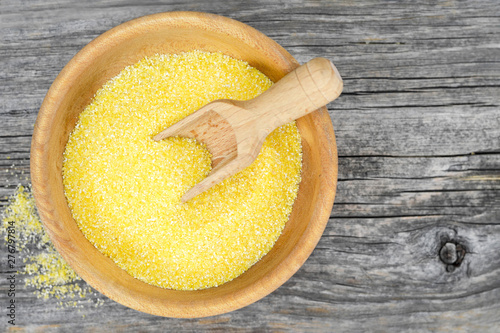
<point x="320" y="118"/>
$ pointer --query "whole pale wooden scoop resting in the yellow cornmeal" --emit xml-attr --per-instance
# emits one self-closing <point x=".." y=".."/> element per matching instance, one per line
<point x="234" y="131"/>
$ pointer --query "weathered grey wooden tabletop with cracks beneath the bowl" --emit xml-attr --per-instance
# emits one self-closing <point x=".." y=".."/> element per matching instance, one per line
<point x="418" y="133"/>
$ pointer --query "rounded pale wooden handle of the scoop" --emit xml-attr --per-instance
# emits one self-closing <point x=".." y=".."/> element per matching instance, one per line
<point x="302" y="91"/>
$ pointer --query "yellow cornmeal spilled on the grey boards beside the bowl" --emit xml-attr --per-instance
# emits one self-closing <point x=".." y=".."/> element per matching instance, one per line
<point x="43" y="269"/>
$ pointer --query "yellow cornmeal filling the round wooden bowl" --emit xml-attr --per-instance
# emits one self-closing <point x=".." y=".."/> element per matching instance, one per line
<point x="124" y="189"/>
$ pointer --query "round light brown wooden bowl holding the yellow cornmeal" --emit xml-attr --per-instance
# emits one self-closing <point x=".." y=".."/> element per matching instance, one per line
<point x="103" y="59"/>
